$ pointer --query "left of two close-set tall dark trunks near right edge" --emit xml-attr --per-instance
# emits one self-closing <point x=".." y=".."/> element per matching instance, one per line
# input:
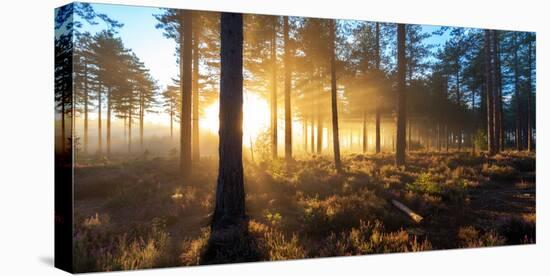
<point x="489" y="90"/>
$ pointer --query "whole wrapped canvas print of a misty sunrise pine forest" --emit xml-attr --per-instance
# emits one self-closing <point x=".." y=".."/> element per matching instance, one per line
<point x="190" y="137"/>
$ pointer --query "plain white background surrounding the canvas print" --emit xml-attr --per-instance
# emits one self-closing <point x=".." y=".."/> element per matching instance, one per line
<point x="26" y="136"/>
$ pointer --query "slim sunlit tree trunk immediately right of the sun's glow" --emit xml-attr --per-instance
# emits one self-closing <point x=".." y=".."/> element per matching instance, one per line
<point x="274" y="132"/>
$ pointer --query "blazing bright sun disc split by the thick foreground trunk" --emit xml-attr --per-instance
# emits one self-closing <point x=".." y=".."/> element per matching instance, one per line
<point x="256" y="116"/>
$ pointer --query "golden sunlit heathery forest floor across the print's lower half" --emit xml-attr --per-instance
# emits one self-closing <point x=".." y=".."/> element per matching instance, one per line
<point x="137" y="213"/>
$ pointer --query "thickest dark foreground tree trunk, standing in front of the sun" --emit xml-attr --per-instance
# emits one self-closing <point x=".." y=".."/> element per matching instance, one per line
<point x="230" y="203"/>
